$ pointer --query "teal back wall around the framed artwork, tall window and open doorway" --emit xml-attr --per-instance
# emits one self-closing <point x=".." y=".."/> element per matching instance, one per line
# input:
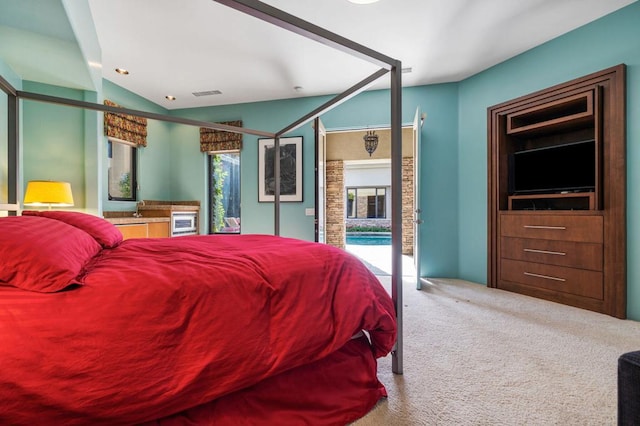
<point x="439" y="156"/>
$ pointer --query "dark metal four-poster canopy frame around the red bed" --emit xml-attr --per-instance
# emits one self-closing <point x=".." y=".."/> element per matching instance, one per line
<point x="306" y="29"/>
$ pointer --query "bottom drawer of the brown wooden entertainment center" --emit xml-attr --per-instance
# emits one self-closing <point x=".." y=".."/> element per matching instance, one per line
<point x="579" y="282"/>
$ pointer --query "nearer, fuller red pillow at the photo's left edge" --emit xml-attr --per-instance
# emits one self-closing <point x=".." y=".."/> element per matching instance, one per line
<point x="43" y="255"/>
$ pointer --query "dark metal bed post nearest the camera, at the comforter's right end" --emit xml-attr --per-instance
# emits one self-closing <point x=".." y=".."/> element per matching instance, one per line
<point x="396" y="209"/>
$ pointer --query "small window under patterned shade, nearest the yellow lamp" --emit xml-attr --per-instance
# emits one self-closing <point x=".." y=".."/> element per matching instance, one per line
<point x="122" y="171"/>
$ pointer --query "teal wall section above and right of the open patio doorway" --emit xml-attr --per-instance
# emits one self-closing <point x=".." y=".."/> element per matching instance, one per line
<point x="439" y="182"/>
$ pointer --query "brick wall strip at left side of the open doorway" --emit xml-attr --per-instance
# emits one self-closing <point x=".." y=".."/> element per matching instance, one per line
<point x="335" y="226"/>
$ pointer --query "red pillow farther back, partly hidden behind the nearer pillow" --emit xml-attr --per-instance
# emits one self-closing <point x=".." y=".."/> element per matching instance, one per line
<point x="104" y="232"/>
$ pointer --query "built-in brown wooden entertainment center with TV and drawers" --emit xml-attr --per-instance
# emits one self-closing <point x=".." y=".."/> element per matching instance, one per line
<point x="557" y="193"/>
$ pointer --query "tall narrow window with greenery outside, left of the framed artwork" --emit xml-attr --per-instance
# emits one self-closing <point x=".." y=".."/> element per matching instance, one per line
<point x="224" y="193"/>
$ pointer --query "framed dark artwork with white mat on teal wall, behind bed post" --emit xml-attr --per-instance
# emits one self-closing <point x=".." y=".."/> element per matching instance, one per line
<point x="290" y="169"/>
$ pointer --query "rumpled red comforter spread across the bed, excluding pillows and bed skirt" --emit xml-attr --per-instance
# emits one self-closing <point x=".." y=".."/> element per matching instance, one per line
<point x="153" y="327"/>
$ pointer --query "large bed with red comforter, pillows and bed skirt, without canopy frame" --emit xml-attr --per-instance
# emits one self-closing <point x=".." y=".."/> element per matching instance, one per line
<point x="216" y="329"/>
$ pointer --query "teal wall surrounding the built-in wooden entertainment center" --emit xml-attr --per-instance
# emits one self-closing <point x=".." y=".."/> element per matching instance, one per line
<point x="606" y="42"/>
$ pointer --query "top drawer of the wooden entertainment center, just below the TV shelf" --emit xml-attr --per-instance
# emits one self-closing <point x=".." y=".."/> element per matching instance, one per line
<point x="553" y="227"/>
